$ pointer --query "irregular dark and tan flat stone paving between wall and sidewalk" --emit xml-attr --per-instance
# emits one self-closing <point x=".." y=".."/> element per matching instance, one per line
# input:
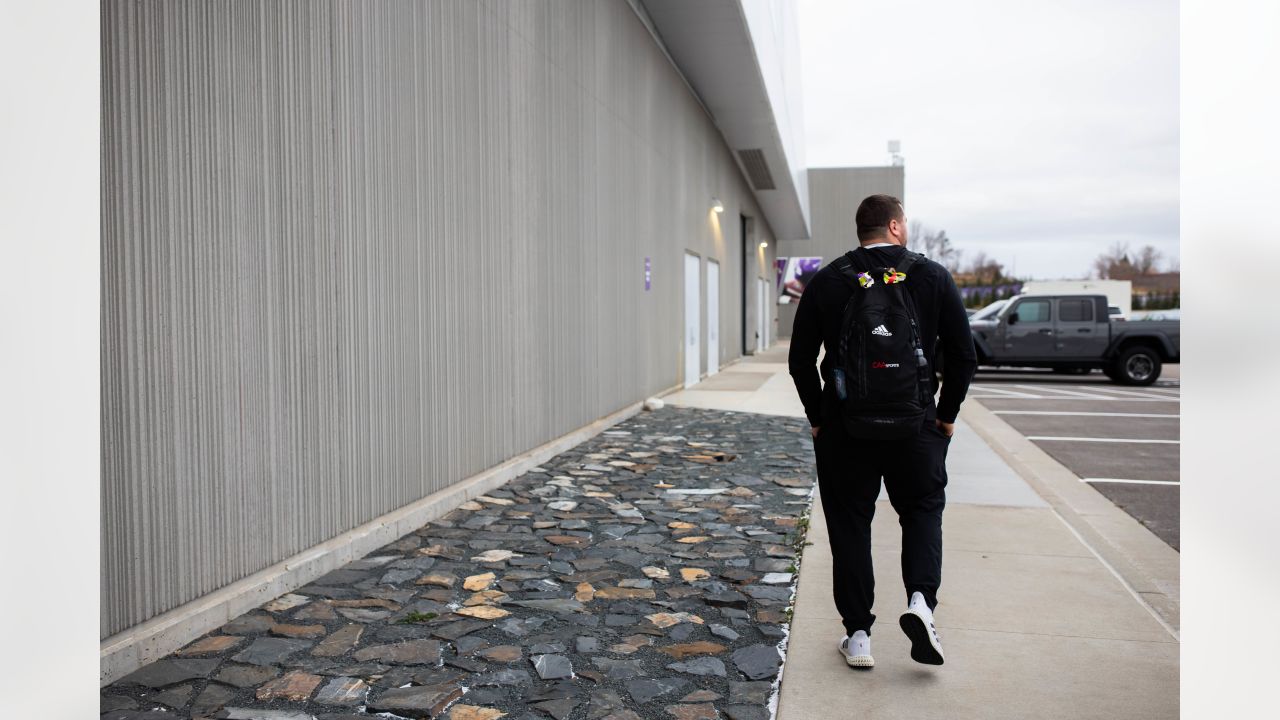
<point x="644" y="575"/>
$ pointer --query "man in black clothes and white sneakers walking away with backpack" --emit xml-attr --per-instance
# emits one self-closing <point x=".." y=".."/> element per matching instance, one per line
<point x="879" y="312"/>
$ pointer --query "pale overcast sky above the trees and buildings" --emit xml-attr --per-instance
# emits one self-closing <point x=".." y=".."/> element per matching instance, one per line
<point x="1041" y="133"/>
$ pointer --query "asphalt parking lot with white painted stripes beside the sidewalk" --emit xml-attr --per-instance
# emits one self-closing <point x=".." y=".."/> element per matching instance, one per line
<point x="1123" y="441"/>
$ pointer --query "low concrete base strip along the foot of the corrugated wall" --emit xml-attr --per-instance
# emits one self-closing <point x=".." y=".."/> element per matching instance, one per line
<point x="150" y="641"/>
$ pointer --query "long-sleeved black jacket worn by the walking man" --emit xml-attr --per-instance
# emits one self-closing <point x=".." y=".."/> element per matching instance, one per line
<point x="940" y="313"/>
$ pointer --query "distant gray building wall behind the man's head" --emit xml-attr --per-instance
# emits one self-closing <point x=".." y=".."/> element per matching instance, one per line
<point x="834" y="199"/>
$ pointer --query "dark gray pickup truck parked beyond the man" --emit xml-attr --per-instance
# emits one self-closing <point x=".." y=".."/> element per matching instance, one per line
<point x="1073" y="334"/>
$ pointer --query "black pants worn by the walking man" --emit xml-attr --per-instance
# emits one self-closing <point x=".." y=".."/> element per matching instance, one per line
<point x="849" y="479"/>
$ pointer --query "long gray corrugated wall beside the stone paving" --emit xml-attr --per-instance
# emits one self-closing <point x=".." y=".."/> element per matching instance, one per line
<point x="355" y="252"/>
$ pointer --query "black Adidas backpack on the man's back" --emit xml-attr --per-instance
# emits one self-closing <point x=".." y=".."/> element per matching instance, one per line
<point x="881" y="373"/>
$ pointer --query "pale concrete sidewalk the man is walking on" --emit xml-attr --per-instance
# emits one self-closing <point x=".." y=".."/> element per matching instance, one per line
<point x="1034" y="622"/>
